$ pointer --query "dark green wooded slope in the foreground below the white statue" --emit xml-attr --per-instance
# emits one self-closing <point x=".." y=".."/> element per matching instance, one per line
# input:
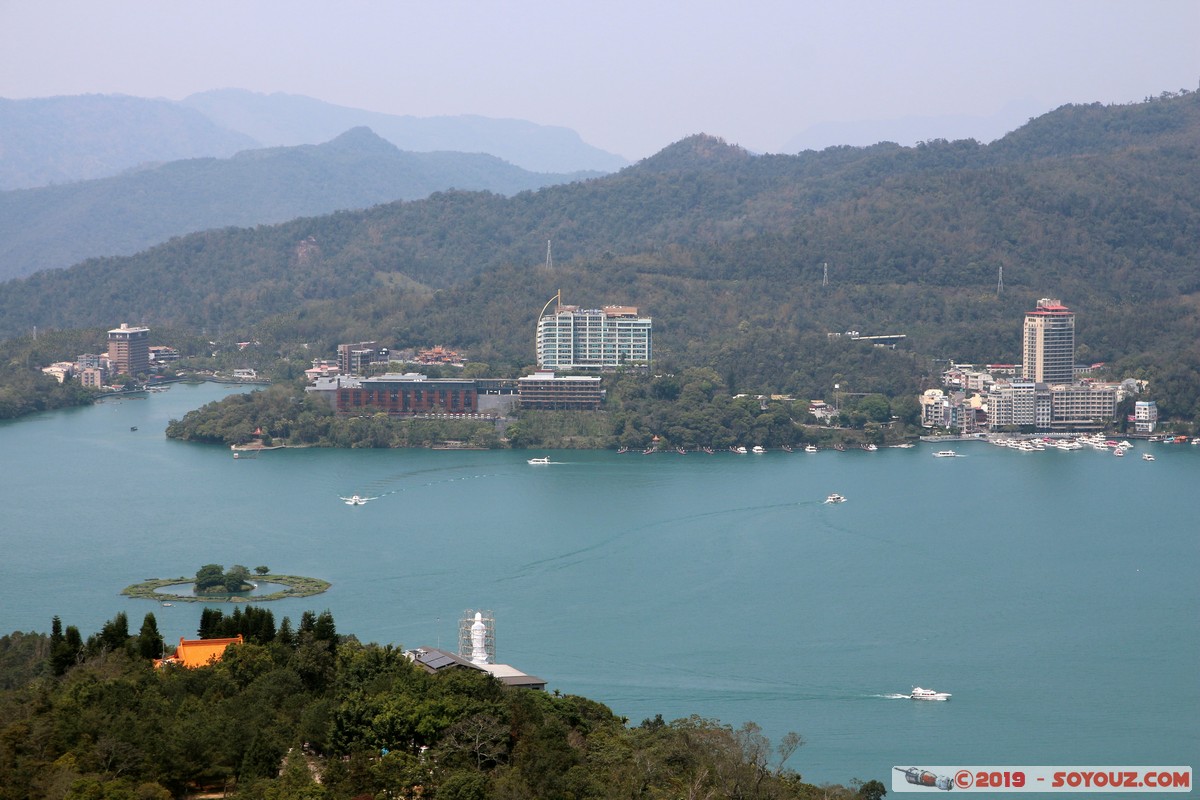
<point x="307" y="714"/>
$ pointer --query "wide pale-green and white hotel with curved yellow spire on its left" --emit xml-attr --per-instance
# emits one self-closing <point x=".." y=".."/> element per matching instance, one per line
<point x="596" y="339"/>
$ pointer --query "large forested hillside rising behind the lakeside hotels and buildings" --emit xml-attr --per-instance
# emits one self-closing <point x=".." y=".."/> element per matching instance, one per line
<point x="1096" y="206"/>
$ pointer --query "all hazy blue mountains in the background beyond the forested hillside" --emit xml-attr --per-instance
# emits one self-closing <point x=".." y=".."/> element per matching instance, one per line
<point x="122" y="175"/>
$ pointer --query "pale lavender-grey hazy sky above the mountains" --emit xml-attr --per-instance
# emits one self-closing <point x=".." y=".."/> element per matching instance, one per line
<point x="629" y="77"/>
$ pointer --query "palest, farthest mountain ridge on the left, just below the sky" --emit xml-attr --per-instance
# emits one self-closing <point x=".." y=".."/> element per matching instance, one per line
<point x="64" y="140"/>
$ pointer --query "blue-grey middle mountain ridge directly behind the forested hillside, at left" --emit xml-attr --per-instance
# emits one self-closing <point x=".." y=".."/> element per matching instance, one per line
<point x="142" y="208"/>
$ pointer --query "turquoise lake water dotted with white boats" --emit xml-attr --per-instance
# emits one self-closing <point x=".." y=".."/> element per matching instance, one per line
<point x="1055" y="594"/>
